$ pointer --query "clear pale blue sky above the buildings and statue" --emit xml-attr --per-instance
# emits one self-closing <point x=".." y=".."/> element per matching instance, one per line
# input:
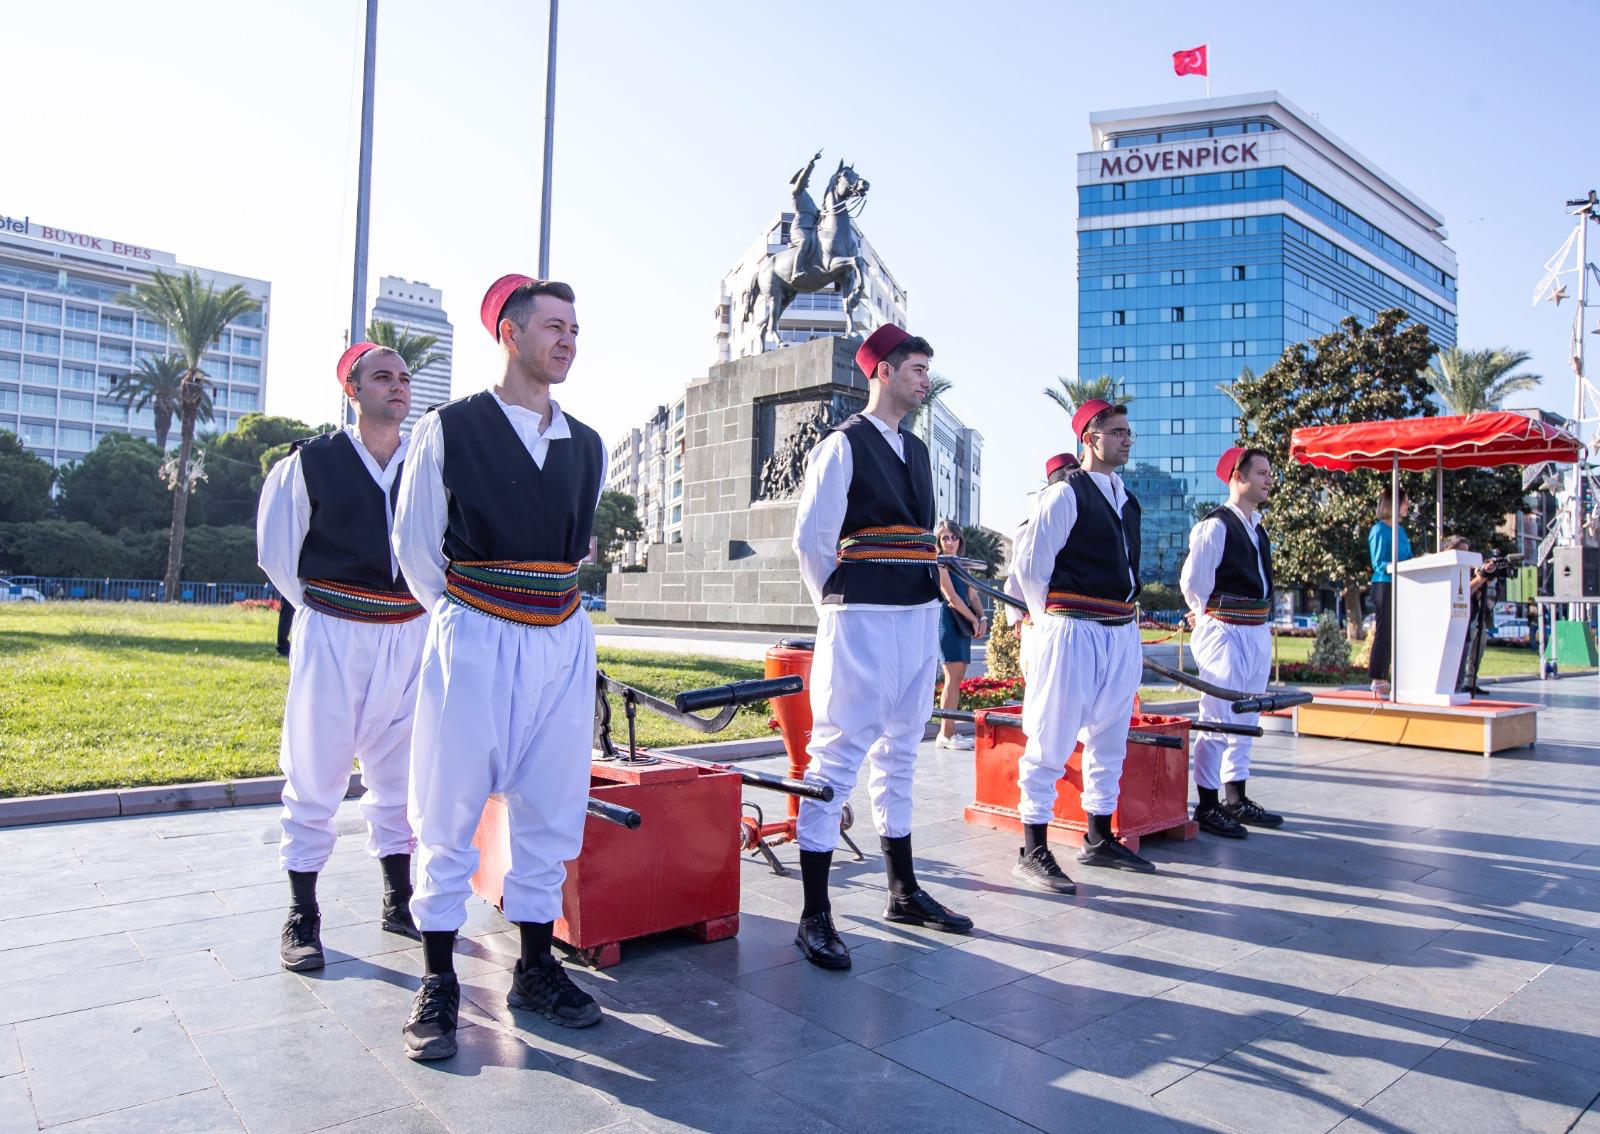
<point x="226" y="134"/>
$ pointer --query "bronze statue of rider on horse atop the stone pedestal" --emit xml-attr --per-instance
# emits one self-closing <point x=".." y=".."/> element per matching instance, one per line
<point x="825" y="249"/>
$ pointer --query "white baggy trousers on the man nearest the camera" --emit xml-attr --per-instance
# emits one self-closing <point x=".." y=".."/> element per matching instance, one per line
<point x="510" y="709"/>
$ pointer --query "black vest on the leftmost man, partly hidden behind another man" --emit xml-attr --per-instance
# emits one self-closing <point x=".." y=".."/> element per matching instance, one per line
<point x="348" y="540"/>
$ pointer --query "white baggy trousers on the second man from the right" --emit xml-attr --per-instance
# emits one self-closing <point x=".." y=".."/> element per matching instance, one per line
<point x="1082" y="684"/>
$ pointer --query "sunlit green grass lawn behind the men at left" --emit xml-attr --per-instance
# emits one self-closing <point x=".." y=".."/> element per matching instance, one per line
<point x="127" y="695"/>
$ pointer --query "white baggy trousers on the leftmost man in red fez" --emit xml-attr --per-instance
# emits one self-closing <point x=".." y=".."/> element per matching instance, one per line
<point x="353" y="690"/>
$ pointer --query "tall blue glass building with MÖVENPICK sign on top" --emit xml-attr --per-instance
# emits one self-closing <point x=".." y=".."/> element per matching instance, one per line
<point x="1212" y="236"/>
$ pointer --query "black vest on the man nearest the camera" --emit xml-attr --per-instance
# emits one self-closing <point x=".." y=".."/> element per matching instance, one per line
<point x="502" y="505"/>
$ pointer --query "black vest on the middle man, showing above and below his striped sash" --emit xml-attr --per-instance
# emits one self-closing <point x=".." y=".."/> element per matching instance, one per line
<point x="884" y="490"/>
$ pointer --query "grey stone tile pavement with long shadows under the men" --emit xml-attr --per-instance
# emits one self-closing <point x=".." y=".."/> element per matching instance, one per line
<point x="1417" y="951"/>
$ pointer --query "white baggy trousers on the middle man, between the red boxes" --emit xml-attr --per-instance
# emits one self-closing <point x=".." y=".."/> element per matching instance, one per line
<point x="871" y="698"/>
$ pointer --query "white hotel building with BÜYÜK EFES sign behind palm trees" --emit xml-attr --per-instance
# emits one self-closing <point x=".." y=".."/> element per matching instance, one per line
<point x="65" y="337"/>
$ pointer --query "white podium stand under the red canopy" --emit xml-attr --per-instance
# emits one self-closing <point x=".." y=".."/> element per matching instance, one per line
<point x="1433" y="601"/>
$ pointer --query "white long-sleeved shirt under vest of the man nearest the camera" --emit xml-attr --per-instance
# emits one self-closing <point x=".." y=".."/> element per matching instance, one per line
<point x="425" y="505"/>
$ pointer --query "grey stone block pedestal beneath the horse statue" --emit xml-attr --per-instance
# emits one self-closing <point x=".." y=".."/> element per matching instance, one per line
<point x="735" y="567"/>
